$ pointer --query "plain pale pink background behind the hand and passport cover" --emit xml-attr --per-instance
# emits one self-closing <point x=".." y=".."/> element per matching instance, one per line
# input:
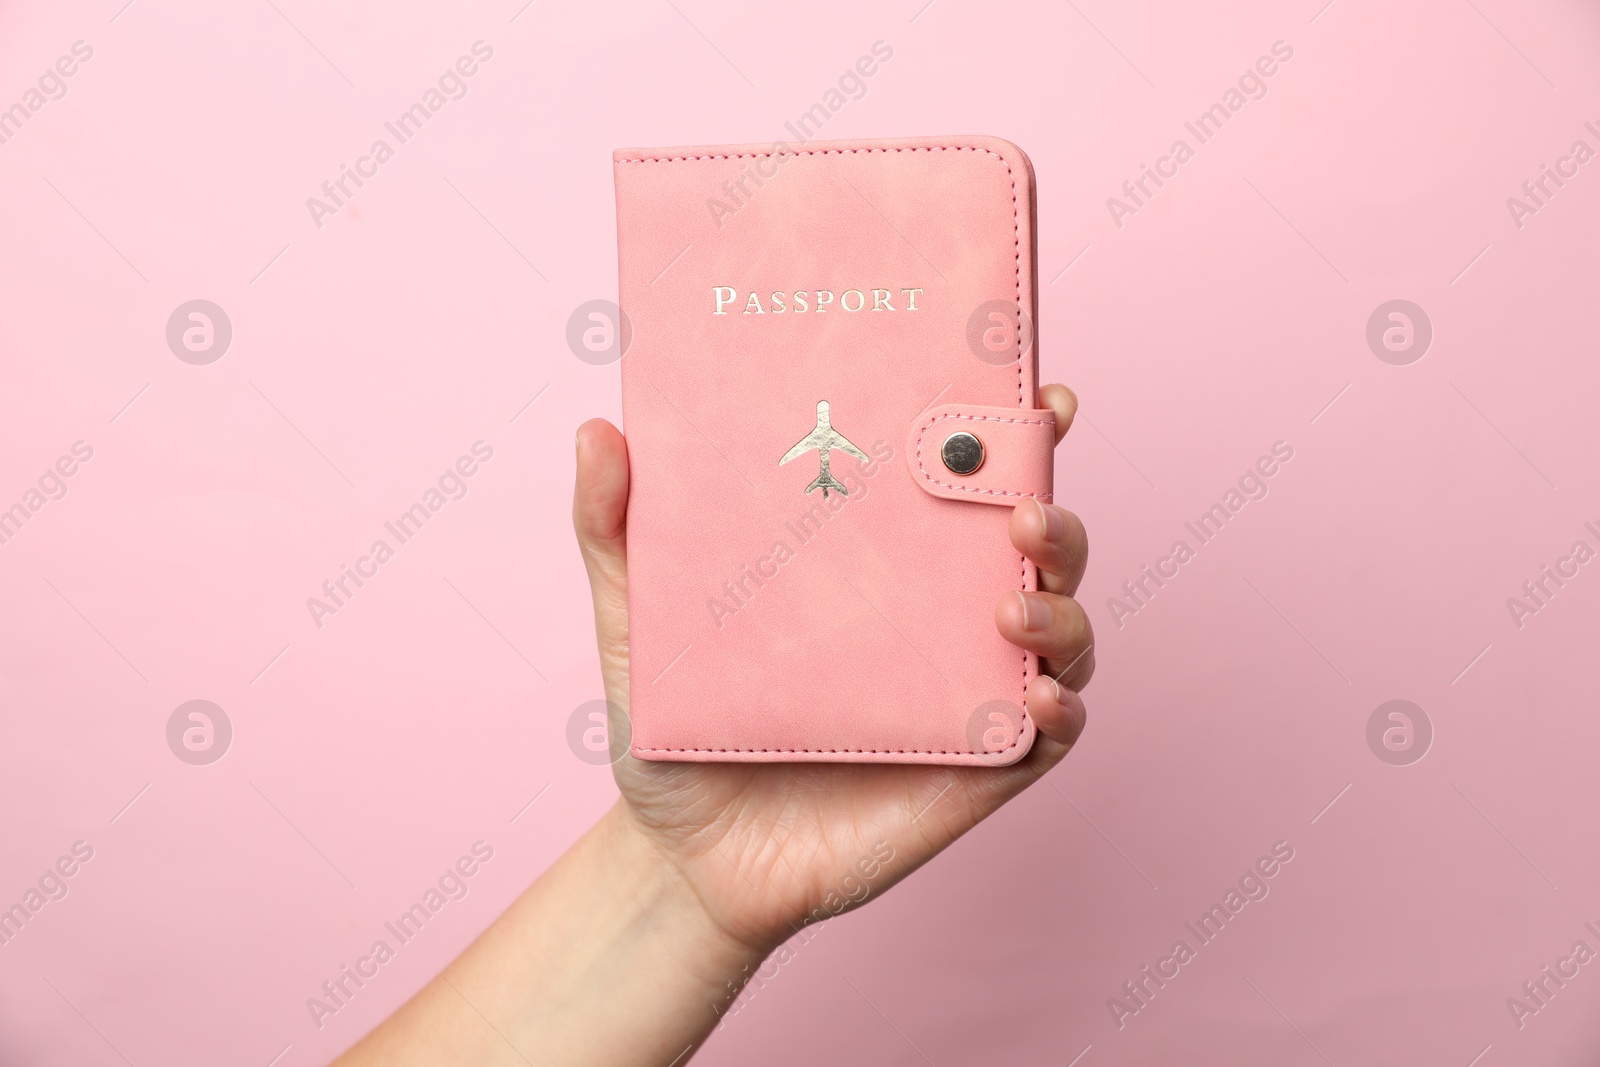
<point x="1223" y="318"/>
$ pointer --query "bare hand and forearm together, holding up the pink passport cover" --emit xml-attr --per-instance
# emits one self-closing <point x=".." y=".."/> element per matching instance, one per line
<point x="630" y="949"/>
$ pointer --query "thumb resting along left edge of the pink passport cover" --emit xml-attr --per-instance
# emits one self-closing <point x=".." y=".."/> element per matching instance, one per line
<point x="601" y="522"/>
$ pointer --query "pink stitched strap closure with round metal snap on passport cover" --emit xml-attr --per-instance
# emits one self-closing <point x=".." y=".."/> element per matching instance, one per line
<point x="1018" y="454"/>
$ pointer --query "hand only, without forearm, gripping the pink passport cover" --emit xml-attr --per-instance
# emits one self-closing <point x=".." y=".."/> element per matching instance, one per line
<point x="761" y="845"/>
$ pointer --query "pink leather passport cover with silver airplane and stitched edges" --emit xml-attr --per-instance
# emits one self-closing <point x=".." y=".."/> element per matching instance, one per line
<point x="809" y="326"/>
